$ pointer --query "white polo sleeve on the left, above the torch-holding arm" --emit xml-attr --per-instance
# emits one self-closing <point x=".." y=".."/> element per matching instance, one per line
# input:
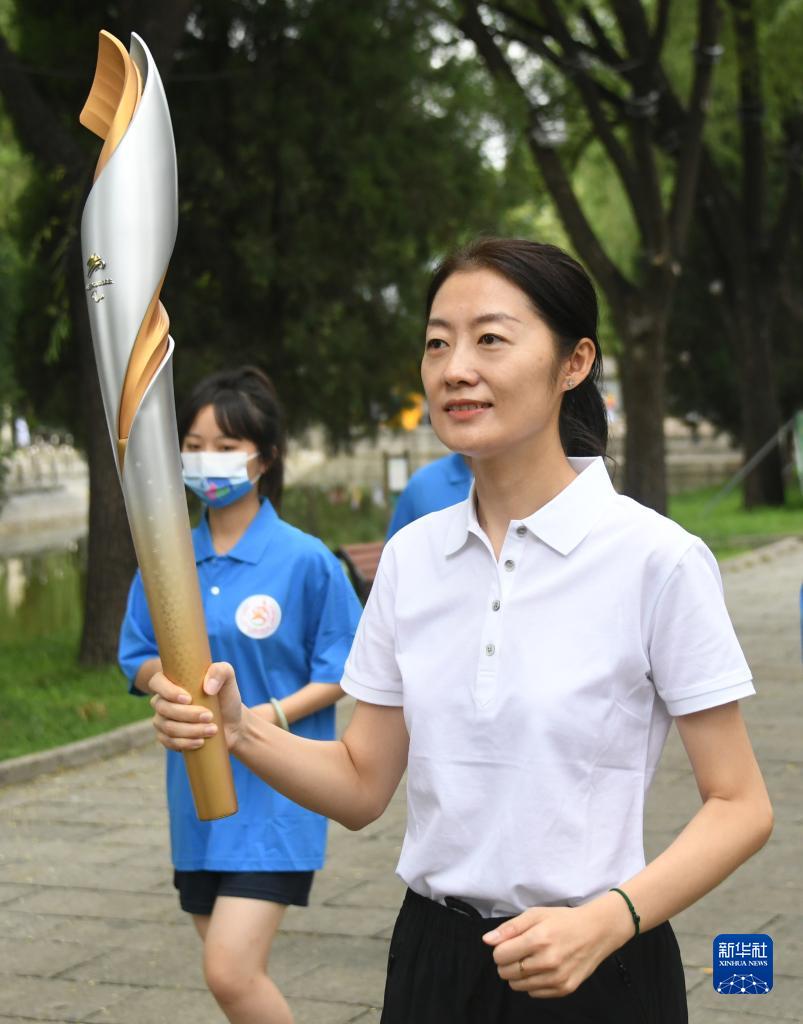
<point x="372" y="672"/>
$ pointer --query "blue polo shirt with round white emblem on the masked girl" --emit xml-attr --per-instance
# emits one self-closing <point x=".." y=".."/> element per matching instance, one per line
<point x="280" y="609"/>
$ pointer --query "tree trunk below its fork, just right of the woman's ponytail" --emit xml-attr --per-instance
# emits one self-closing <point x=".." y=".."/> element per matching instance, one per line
<point x="642" y="376"/>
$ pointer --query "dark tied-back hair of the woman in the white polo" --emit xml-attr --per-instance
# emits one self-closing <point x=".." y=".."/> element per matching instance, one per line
<point x="564" y="297"/>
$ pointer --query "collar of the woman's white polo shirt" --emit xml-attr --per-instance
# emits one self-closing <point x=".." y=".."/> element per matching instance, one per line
<point x="562" y="524"/>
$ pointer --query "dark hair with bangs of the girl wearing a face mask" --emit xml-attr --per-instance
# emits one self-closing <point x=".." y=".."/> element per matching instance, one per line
<point x="247" y="408"/>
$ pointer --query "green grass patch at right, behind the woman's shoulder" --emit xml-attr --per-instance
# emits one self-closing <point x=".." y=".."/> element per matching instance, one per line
<point x="728" y="528"/>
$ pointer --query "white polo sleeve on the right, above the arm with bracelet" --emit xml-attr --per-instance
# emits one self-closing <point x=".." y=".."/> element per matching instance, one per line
<point x="696" y="660"/>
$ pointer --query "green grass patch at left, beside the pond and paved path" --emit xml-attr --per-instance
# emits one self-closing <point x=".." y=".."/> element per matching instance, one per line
<point x="49" y="700"/>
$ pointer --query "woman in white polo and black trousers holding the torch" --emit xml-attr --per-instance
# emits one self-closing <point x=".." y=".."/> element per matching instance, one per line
<point x="524" y="655"/>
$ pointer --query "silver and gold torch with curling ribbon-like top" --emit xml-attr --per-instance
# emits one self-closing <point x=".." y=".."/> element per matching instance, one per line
<point x="128" y="235"/>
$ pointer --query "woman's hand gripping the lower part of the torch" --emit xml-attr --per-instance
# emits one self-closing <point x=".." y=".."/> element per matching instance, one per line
<point x="181" y="726"/>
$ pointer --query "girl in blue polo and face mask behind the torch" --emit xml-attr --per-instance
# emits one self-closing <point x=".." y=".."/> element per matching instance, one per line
<point x="279" y="607"/>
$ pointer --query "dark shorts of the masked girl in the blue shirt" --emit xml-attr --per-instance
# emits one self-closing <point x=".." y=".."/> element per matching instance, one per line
<point x="199" y="890"/>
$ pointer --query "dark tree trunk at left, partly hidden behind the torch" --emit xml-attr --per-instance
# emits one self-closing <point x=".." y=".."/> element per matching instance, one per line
<point x="111" y="562"/>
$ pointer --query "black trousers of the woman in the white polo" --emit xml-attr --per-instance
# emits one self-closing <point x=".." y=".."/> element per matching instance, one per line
<point x="441" y="972"/>
